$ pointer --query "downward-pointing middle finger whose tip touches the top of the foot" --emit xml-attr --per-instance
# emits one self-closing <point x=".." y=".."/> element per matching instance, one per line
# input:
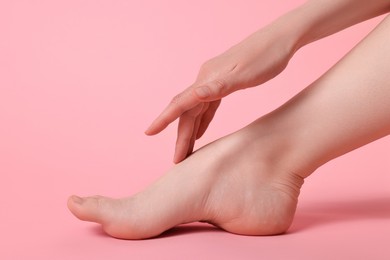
<point x="185" y="133"/>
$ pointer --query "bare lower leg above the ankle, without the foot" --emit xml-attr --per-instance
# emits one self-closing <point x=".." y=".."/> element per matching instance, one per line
<point x="348" y="107"/>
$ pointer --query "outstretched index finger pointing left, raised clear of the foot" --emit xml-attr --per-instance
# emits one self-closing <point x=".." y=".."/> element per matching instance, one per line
<point x="181" y="103"/>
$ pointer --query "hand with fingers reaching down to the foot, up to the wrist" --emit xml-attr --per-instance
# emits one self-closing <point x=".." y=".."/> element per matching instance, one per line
<point x="258" y="58"/>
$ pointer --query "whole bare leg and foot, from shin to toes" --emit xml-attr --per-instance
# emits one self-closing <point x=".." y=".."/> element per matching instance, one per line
<point x="249" y="181"/>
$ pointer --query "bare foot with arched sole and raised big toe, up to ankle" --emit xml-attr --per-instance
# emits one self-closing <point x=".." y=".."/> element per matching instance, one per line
<point x="241" y="183"/>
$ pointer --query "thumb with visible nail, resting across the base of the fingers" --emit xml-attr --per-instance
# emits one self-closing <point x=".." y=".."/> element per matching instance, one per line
<point x="214" y="90"/>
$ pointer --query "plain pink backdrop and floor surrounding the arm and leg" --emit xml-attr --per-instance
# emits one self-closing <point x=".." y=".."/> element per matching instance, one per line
<point x="81" y="80"/>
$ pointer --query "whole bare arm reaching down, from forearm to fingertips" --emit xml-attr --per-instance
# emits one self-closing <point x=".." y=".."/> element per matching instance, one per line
<point x="255" y="60"/>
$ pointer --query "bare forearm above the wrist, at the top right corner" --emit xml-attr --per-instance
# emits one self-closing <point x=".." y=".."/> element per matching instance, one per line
<point x="317" y="19"/>
